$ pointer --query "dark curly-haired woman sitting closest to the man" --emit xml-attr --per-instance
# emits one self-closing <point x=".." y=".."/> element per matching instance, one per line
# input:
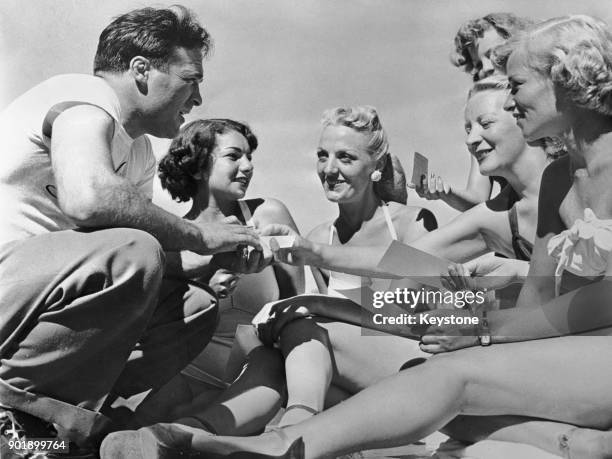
<point x="210" y="163"/>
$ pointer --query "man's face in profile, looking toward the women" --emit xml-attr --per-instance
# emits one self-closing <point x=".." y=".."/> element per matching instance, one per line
<point x="172" y="93"/>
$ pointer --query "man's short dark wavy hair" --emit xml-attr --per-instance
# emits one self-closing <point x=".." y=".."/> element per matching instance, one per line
<point x="152" y="33"/>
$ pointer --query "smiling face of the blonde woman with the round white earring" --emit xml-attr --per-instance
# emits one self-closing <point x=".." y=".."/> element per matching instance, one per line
<point x="345" y="164"/>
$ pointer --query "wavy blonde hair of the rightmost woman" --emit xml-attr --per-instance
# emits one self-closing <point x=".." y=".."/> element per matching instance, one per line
<point x="575" y="52"/>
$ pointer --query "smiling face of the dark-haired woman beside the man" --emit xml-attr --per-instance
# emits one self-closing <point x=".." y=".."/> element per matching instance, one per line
<point x="232" y="167"/>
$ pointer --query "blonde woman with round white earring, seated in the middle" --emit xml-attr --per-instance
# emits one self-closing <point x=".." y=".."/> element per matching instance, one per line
<point x="359" y="174"/>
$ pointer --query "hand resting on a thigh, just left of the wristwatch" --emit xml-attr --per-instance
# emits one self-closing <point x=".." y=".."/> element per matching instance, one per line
<point x="447" y="338"/>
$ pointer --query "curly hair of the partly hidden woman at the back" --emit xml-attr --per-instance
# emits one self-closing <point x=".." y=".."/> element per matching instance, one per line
<point x="505" y="24"/>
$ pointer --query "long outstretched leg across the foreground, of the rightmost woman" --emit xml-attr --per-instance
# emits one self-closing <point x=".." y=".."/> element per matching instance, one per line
<point x="525" y="379"/>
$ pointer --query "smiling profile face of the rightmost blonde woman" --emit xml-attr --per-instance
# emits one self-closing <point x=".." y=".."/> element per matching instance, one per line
<point x="532" y="100"/>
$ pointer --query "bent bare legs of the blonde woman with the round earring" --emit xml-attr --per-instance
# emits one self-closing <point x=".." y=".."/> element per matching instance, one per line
<point x="318" y="350"/>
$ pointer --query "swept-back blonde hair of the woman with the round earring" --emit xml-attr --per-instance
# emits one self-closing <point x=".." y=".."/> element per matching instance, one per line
<point x="365" y="119"/>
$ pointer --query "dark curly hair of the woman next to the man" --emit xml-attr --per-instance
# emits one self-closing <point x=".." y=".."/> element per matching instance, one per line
<point x="190" y="154"/>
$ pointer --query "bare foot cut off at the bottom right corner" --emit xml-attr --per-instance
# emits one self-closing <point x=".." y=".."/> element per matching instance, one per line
<point x="579" y="443"/>
